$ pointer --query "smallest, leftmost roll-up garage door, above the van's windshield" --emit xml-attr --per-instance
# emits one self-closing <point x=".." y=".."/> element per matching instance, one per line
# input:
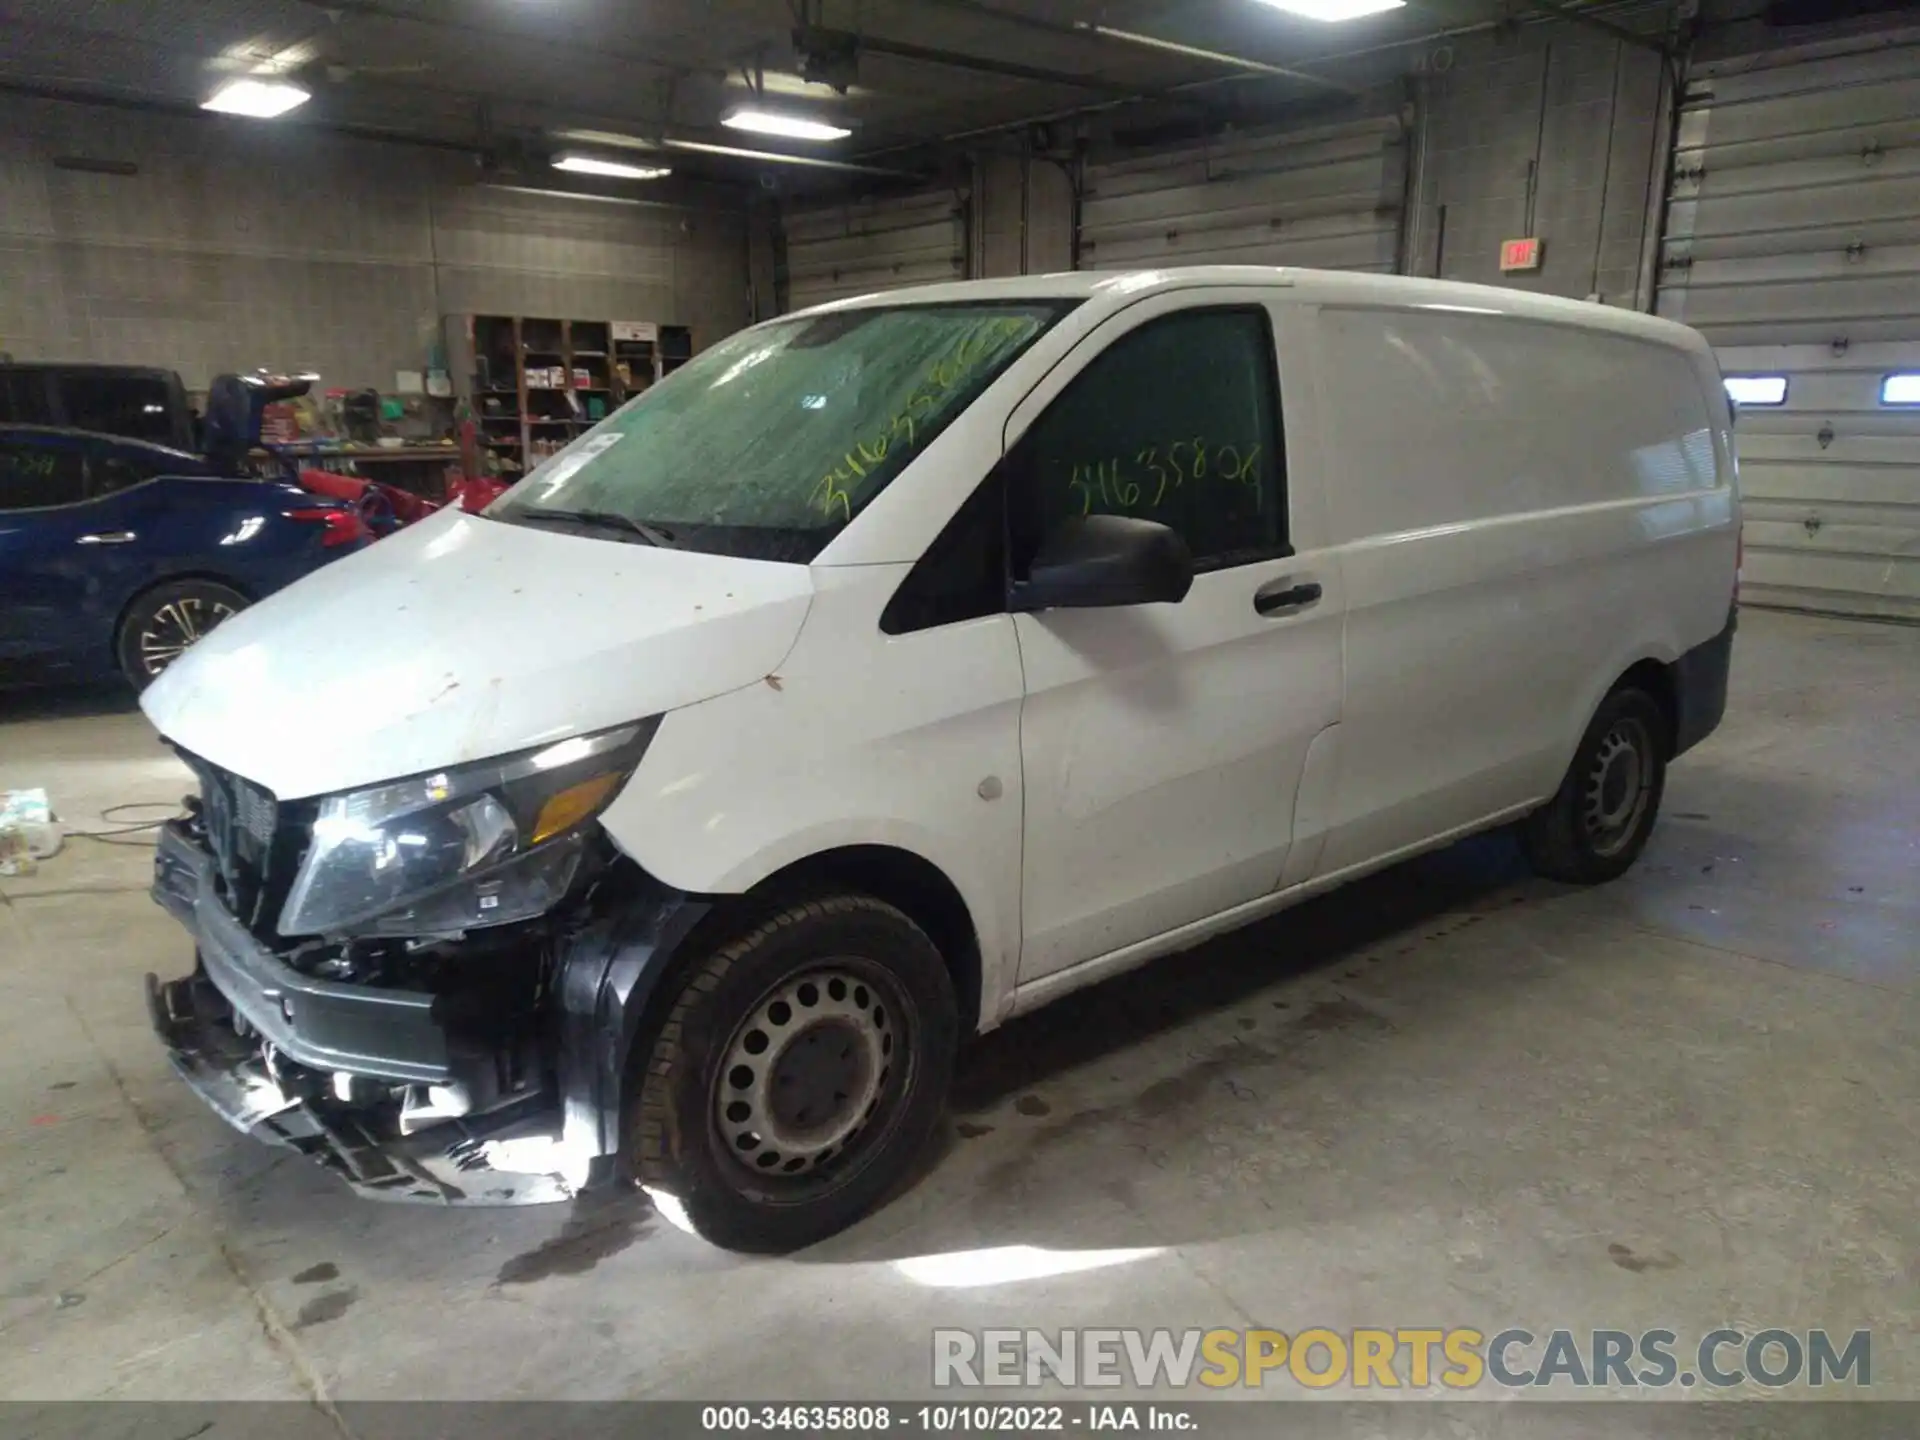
<point x="875" y="245"/>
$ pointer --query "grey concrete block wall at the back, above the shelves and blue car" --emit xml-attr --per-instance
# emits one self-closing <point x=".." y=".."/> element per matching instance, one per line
<point x="241" y="245"/>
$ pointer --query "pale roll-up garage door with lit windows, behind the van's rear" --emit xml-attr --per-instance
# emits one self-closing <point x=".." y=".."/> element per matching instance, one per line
<point x="1794" y="245"/>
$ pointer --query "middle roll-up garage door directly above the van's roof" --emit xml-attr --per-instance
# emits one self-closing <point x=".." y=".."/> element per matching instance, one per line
<point x="1328" y="199"/>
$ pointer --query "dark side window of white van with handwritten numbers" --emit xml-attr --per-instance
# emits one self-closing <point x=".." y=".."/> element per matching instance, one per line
<point x="1176" y="423"/>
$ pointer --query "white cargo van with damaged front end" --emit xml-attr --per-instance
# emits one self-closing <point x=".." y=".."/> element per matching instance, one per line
<point x="900" y="667"/>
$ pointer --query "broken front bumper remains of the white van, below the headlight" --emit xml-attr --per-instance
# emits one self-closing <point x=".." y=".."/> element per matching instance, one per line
<point x="512" y="1155"/>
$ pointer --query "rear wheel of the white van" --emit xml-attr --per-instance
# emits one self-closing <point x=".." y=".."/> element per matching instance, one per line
<point x="1600" y="819"/>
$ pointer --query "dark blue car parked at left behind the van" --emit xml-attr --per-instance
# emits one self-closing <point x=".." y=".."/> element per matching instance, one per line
<point x="118" y="556"/>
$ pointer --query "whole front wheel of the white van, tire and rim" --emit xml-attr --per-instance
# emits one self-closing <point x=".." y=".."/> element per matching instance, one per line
<point x="740" y="1134"/>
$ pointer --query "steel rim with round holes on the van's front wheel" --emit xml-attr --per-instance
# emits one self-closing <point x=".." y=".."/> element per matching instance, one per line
<point x="807" y="1074"/>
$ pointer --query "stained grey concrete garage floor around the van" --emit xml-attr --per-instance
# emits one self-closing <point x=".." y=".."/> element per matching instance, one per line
<point x="1451" y="1095"/>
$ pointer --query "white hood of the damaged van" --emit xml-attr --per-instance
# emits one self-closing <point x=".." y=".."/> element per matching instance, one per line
<point x="466" y="638"/>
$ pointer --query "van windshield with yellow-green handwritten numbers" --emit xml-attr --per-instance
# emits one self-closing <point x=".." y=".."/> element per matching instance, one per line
<point x="771" y="443"/>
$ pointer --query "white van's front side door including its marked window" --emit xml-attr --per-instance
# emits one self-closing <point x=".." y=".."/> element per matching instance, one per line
<point x="1164" y="746"/>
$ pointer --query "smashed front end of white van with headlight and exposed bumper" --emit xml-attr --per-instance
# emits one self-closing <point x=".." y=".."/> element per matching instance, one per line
<point x="421" y="1067"/>
